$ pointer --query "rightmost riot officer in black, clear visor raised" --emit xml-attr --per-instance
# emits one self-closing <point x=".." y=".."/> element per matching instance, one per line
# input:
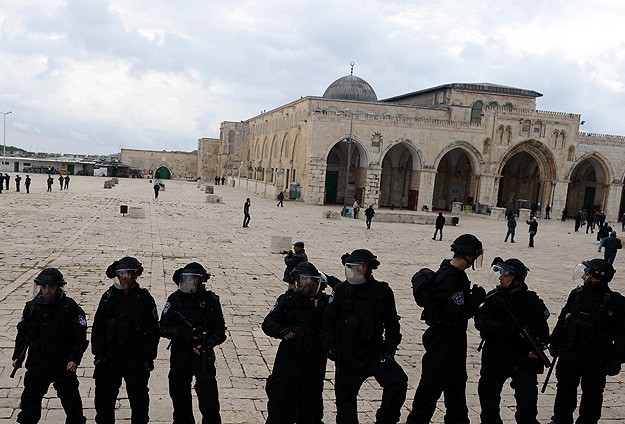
<point x="589" y="340"/>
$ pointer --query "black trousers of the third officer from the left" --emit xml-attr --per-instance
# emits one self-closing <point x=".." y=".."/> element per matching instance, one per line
<point x="182" y="370"/>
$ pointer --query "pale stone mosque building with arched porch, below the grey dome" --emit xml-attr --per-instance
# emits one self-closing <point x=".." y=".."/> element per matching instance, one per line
<point x="479" y="144"/>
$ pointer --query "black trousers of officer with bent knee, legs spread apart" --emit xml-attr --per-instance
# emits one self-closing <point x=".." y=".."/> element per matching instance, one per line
<point x="389" y="375"/>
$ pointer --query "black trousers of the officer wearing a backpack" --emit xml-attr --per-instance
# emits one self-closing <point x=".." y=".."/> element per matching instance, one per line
<point x="443" y="371"/>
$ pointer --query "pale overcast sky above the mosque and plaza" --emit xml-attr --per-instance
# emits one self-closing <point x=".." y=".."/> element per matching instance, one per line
<point x="93" y="76"/>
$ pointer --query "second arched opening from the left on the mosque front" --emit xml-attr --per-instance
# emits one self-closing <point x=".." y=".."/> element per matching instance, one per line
<point x="399" y="182"/>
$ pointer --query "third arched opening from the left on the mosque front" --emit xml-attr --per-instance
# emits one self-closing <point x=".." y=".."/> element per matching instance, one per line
<point x="454" y="180"/>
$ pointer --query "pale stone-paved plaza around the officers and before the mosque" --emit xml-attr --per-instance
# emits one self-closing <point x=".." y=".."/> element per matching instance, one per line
<point x="80" y="231"/>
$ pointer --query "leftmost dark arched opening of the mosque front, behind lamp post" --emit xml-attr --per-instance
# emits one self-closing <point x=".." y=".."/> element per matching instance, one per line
<point x="336" y="170"/>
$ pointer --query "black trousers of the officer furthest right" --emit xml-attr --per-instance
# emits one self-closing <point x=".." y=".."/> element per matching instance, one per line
<point x="591" y="375"/>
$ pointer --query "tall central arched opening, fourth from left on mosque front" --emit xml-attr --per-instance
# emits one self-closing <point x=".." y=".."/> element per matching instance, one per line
<point x="519" y="186"/>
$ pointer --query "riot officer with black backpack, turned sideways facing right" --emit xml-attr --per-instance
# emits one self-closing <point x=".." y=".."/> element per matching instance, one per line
<point x="444" y="364"/>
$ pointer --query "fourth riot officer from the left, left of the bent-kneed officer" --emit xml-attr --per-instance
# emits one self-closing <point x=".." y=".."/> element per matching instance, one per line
<point x="295" y="386"/>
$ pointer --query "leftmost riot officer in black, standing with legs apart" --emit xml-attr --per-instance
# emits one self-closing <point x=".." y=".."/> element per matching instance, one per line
<point x="53" y="329"/>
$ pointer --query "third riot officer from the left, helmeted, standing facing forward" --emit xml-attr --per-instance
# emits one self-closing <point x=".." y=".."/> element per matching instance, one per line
<point x="192" y="319"/>
